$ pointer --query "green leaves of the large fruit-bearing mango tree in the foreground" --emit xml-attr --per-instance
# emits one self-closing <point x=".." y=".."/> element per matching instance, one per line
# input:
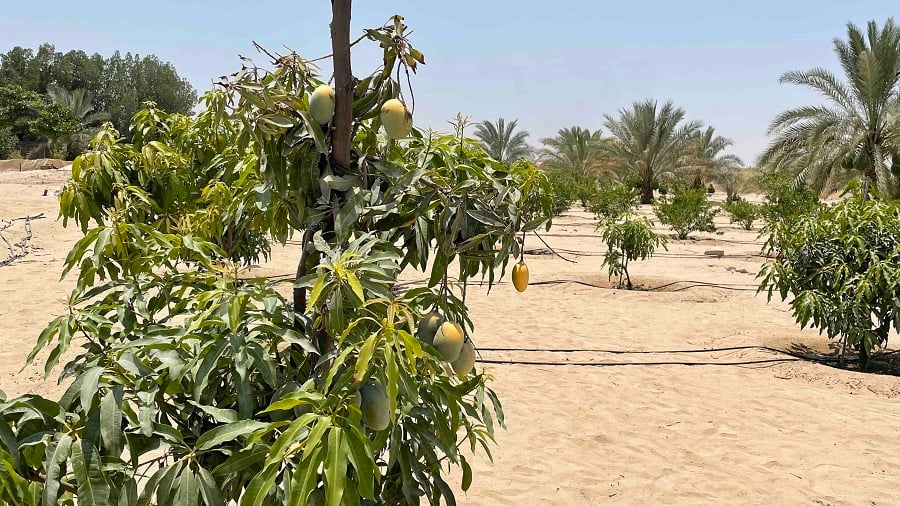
<point x="207" y="379"/>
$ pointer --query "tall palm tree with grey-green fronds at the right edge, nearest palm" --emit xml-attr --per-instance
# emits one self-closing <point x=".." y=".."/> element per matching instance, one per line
<point x="853" y="131"/>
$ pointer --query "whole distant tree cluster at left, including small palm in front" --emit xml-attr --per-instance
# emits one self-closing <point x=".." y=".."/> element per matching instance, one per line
<point x="51" y="102"/>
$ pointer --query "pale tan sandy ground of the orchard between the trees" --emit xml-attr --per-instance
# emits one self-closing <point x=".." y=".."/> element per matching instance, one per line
<point x="632" y="428"/>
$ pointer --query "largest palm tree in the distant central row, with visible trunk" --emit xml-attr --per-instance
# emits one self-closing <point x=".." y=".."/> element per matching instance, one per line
<point x="650" y="140"/>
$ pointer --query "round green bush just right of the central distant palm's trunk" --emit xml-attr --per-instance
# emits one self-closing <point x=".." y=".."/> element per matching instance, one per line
<point x="687" y="210"/>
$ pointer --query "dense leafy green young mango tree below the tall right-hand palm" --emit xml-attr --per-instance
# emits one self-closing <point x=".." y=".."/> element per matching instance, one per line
<point x="839" y="266"/>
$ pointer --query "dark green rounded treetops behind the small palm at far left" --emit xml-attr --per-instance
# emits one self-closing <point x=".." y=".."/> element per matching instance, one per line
<point x="120" y="84"/>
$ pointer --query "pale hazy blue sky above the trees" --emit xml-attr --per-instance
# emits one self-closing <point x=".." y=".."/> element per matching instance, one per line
<point x="548" y="64"/>
